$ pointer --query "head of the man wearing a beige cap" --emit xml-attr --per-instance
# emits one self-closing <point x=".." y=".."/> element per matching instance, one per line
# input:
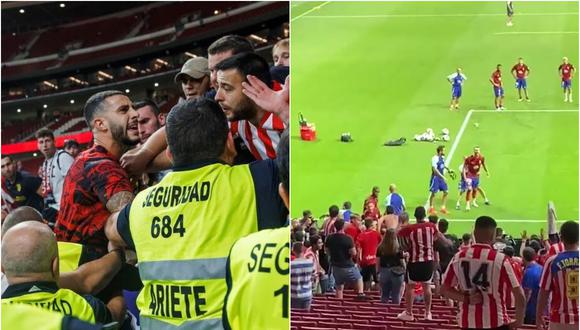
<point x="194" y="78"/>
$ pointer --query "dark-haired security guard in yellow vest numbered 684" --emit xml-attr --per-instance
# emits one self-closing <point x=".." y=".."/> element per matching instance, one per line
<point x="183" y="228"/>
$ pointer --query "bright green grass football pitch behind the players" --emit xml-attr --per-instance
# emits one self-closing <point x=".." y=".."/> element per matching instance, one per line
<point x="378" y="71"/>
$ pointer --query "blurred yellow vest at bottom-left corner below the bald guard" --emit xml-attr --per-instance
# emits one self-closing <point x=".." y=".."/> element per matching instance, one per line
<point x="22" y="316"/>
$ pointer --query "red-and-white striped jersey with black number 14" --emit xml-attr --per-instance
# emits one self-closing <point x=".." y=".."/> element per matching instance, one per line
<point x="481" y="268"/>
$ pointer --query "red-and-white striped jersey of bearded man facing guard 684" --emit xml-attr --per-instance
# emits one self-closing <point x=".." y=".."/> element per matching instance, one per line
<point x="262" y="140"/>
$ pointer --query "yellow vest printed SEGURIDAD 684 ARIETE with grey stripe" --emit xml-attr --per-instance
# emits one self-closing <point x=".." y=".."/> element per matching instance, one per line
<point x="183" y="229"/>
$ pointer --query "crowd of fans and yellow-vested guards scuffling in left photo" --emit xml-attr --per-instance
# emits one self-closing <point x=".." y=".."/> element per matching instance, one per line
<point x="154" y="224"/>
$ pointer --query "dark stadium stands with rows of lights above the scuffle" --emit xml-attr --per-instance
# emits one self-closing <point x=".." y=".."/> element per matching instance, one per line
<point x="109" y="45"/>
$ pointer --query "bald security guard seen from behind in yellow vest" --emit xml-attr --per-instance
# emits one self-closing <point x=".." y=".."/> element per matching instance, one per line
<point x="30" y="263"/>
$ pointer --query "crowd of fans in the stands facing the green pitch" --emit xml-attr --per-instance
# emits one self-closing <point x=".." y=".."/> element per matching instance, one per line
<point x="484" y="273"/>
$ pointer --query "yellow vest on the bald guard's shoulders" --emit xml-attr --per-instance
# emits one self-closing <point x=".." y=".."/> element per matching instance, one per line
<point x="63" y="301"/>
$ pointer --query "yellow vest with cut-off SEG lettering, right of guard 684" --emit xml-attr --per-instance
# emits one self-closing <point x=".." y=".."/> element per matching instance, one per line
<point x="258" y="276"/>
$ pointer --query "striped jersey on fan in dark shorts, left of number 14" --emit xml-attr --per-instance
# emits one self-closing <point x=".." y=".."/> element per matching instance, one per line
<point x="419" y="238"/>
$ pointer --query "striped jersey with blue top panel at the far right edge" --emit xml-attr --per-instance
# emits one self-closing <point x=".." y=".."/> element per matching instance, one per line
<point x="560" y="277"/>
